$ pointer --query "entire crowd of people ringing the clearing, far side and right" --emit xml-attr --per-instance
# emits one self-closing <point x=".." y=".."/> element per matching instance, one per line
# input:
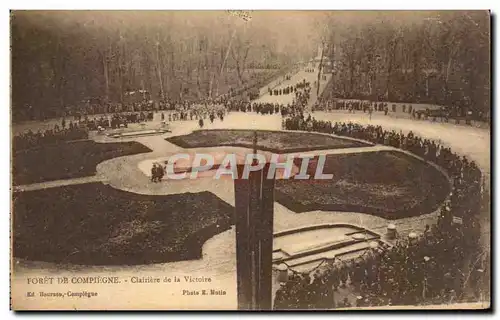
<point x="430" y="269"/>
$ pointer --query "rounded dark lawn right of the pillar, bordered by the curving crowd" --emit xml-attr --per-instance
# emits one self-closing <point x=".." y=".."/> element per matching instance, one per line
<point x="388" y="184"/>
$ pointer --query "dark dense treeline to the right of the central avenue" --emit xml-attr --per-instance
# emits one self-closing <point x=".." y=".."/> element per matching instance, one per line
<point x="422" y="57"/>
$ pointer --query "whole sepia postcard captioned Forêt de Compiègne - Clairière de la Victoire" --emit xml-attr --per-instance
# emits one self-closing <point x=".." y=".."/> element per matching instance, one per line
<point x="250" y="160"/>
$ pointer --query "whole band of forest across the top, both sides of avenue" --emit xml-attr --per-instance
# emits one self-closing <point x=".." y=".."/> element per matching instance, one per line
<point x="61" y="58"/>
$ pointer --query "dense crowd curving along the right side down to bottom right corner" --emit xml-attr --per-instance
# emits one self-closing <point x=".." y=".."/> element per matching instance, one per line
<point x="445" y="264"/>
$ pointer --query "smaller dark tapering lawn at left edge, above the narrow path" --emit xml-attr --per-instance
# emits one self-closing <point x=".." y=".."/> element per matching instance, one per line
<point x="67" y="160"/>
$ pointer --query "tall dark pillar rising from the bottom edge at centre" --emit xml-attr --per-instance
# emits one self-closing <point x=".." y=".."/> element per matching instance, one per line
<point x="254" y="200"/>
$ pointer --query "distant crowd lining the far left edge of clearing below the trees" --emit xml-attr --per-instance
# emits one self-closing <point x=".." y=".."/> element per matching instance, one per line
<point x="203" y="110"/>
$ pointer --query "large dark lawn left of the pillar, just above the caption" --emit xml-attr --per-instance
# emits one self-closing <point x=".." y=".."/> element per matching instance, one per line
<point x="94" y="224"/>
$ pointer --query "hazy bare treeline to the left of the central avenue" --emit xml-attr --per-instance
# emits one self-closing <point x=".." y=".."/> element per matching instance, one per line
<point x="60" y="58"/>
